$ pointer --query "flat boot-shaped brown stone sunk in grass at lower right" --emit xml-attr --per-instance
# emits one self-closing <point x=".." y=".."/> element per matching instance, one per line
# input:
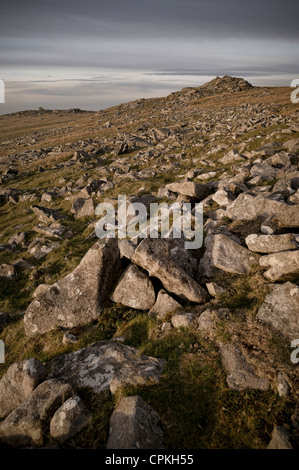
<point x="241" y="375"/>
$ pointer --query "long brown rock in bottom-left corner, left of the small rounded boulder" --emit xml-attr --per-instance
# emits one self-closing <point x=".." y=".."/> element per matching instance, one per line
<point x="27" y="424"/>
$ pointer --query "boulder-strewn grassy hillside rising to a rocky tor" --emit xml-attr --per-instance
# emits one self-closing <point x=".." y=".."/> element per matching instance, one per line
<point x="193" y="347"/>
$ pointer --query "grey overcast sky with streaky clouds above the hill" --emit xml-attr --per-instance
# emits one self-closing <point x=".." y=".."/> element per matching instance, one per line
<point x="93" y="54"/>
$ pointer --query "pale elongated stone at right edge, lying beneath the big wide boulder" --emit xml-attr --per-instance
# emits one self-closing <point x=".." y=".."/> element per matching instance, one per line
<point x="271" y="243"/>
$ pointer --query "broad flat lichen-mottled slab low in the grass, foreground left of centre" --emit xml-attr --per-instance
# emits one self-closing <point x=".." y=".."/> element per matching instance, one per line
<point x="105" y="365"/>
